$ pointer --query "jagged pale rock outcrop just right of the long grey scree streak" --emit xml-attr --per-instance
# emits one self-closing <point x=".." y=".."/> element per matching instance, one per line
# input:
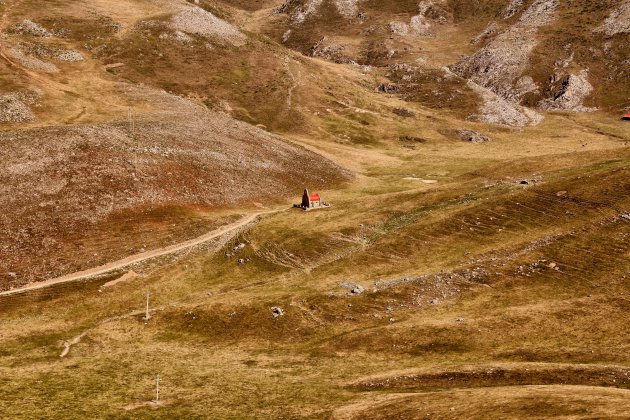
<point x="569" y="93"/>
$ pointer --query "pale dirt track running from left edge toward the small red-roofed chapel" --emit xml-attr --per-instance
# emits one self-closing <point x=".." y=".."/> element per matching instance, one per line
<point x="115" y="265"/>
